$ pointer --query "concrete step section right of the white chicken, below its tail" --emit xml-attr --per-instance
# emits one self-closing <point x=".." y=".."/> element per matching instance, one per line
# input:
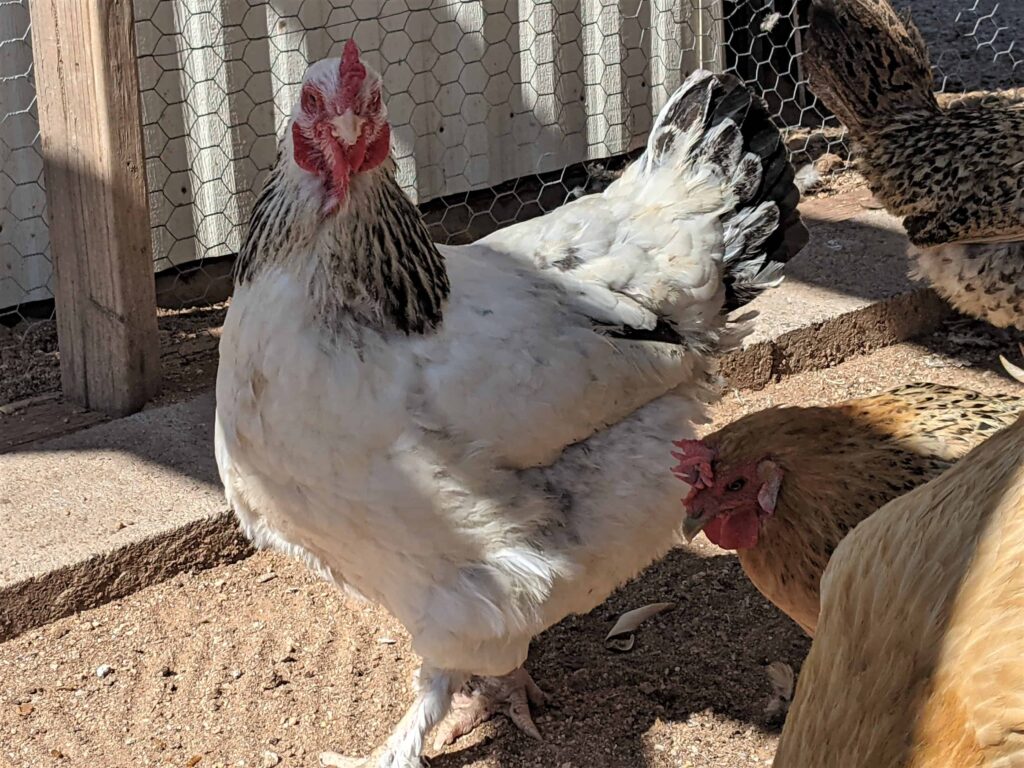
<point x="846" y="293"/>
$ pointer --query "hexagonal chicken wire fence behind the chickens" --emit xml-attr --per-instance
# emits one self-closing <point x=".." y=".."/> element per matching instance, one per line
<point x="501" y="110"/>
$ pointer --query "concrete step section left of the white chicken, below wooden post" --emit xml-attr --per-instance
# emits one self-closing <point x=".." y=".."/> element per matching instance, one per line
<point x="96" y="516"/>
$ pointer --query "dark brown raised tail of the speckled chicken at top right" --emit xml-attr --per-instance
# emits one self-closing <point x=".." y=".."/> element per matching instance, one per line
<point x="866" y="62"/>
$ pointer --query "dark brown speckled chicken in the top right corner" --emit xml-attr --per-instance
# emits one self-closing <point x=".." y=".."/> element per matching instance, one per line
<point x="953" y="172"/>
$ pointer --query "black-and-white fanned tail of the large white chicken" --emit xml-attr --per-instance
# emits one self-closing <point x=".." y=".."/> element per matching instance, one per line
<point x="717" y="122"/>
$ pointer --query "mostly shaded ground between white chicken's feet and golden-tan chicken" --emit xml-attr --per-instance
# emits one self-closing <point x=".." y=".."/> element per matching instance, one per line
<point x="695" y="679"/>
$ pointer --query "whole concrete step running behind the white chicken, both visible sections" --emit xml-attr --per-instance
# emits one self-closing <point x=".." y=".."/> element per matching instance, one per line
<point x="96" y="516"/>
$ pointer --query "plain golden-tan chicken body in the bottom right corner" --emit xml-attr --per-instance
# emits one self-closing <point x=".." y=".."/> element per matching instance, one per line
<point x="919" y="661"/>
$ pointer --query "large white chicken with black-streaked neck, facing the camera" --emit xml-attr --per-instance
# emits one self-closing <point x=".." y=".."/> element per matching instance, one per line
<point x="478" y="438"/>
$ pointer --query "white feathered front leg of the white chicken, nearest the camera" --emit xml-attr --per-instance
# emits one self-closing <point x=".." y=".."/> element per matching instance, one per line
<point x="404" y="748"/>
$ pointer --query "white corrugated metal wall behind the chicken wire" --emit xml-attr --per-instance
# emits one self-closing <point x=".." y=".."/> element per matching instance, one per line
<point x="480" y="92"/>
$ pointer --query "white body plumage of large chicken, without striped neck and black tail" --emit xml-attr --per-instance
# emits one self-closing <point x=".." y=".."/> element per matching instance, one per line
<point x="513" y="466"/>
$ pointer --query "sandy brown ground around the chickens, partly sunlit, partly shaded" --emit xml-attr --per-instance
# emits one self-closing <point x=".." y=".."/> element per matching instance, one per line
<point x="261" y="664"/>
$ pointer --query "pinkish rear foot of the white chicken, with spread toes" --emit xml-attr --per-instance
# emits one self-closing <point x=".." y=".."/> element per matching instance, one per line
<point x="483" y="698"/>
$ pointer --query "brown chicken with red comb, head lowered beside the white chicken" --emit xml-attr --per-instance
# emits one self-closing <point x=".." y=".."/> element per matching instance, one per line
<point x="785" y="486"/>
